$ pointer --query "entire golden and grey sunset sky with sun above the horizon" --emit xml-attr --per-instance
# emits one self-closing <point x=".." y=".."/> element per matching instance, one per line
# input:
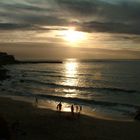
<point x="56" y="29"/>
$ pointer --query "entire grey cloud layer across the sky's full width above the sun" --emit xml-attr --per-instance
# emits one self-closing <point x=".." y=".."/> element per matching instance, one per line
<point x="108" y="16"/>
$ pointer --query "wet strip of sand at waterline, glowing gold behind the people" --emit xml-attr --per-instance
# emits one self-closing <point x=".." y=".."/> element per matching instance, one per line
<point x="86" y="110"/>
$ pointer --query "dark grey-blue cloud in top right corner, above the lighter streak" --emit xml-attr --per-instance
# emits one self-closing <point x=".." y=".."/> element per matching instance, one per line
<point x="103" y="10"/>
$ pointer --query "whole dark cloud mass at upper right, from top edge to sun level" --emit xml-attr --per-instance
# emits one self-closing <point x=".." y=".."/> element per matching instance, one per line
<point x="105" y="16"/>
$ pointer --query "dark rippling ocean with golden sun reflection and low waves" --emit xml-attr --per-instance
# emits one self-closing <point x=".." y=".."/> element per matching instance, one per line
<point x="108" y="88"/>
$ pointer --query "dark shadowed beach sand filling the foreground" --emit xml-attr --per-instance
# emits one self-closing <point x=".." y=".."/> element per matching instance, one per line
<point x="23" y="121"/>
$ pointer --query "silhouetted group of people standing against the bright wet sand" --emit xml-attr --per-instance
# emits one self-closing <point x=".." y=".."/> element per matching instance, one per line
<point x="77" y="108"/>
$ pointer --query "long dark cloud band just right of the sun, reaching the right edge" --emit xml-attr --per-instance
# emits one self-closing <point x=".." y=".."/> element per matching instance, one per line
<point x="110" y="27"/>
